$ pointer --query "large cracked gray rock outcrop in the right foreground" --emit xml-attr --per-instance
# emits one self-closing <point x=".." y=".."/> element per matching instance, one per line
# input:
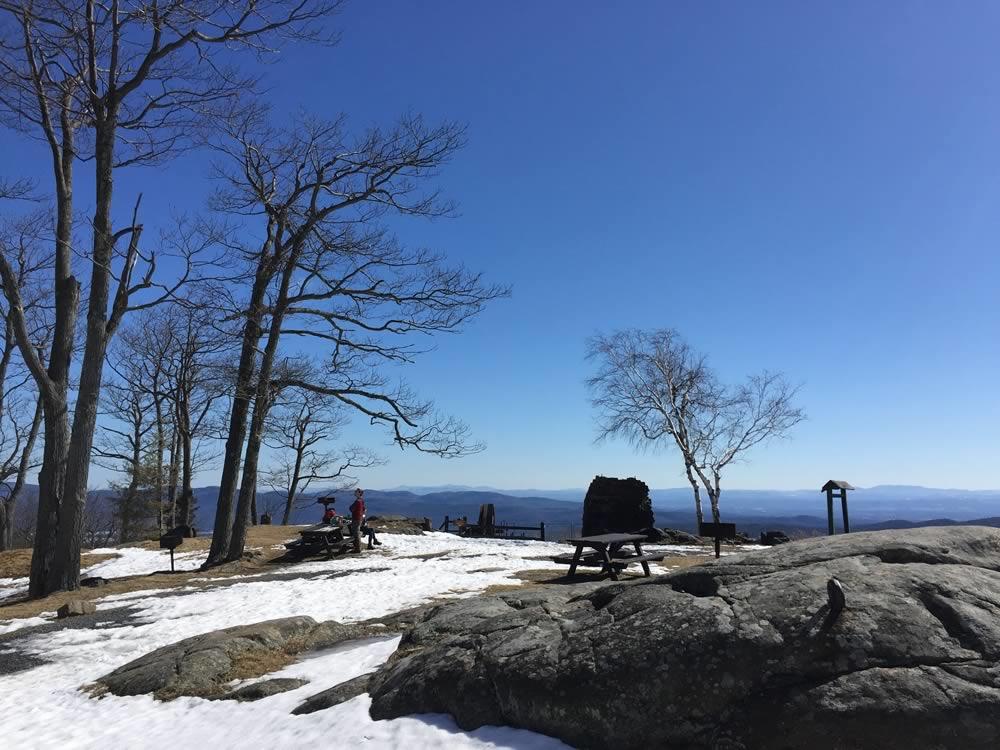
<point x="738" y="653"/>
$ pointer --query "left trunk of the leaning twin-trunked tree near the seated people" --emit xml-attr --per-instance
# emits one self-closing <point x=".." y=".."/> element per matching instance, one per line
<point x="222" y="532"/>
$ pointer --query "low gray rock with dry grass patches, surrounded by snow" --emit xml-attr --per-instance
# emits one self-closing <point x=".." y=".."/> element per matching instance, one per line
<point x="203" y="664"/>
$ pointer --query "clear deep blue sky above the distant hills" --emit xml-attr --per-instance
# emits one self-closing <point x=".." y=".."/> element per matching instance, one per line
<point x="807" y="187"/>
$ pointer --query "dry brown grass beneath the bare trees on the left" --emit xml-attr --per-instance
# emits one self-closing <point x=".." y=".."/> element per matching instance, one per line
<point x="259" y="537"/>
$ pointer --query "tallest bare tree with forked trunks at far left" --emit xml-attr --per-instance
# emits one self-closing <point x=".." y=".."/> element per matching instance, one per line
<point x="116" y="85"/>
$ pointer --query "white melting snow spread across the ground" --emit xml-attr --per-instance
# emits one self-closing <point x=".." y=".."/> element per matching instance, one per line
<point x="43" y="707"/>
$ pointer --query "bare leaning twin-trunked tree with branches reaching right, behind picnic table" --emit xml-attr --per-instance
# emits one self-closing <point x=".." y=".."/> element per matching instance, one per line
<point x="327" y="271"/>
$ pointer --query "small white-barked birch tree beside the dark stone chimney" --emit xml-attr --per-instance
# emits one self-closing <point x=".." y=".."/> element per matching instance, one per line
<point x="652" y="389"/>
